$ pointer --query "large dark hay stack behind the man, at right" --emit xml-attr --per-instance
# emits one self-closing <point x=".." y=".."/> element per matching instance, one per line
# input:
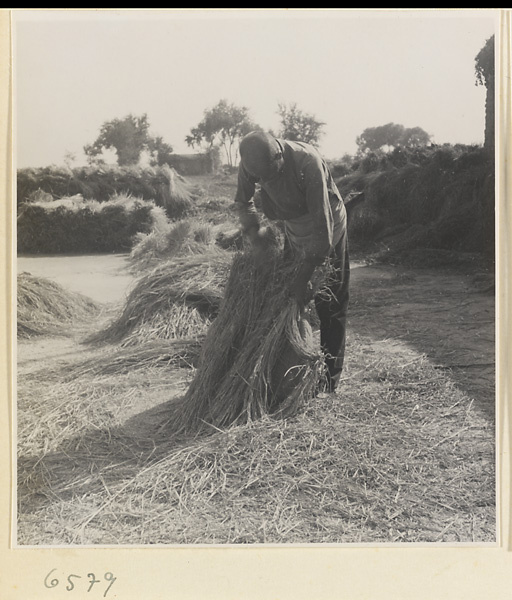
<point x="442" y="199"/>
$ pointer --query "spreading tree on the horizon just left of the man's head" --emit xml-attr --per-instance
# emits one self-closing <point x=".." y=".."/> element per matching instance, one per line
<point x="223" y="125"/>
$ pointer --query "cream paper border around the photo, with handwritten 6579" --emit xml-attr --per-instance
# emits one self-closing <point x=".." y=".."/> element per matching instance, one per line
<point x="352" y="571"/>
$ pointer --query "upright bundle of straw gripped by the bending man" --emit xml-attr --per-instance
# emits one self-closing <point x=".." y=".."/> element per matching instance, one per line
<point x="259" y="355"/>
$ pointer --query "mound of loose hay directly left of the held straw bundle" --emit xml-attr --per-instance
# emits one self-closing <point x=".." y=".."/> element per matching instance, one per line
<point x="177" y="299"/>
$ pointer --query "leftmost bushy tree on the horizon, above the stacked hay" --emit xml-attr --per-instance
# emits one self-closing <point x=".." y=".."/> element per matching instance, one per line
<point x="129" y="137"/>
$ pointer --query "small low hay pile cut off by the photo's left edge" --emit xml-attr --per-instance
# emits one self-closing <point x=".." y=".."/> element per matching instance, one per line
<point x="45" y="307"/>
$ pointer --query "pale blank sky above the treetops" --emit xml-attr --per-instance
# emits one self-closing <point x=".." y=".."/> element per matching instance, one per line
<point x="351" y="69"/>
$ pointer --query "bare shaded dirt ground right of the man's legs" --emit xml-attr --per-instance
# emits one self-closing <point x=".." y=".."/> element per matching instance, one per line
<point x="445" y="315"/>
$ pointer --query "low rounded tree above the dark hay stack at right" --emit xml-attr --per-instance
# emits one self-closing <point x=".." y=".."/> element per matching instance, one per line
<point x="391" y="136"/>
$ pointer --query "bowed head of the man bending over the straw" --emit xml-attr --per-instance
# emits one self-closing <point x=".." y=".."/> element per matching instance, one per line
<point x="261" y="155"/>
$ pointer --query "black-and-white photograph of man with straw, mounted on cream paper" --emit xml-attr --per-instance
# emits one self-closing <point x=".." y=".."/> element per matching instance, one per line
<point x="254" y="278"/>
